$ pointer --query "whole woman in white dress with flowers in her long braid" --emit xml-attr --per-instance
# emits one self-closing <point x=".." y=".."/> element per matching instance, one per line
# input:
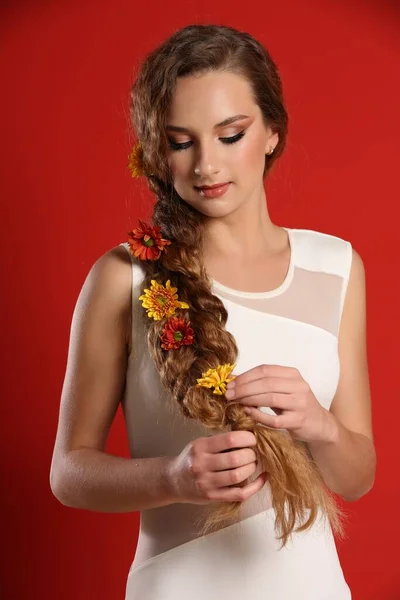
<point x="237" y="349"/>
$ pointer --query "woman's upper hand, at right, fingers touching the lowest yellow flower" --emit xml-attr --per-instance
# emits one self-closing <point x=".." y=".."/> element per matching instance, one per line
<point x="285" y="391"/>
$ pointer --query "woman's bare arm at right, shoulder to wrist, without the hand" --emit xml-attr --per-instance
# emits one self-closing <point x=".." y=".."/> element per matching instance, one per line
<point x="347" y="458"/>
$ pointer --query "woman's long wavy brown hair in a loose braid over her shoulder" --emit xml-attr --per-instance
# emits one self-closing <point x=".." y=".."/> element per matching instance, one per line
<point x="294" y="477"/>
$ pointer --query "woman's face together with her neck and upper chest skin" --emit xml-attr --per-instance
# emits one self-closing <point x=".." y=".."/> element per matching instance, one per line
<point x="239" y="234"/>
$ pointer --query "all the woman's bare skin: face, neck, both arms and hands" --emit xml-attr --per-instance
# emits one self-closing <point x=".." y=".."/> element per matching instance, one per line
<point x="243" y="249"/>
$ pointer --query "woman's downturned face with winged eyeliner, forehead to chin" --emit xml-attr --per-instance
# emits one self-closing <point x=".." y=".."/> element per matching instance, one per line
<point x="232" y="152"/>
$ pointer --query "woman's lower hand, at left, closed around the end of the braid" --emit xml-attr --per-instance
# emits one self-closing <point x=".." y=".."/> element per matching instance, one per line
<point x="210" y="469"/>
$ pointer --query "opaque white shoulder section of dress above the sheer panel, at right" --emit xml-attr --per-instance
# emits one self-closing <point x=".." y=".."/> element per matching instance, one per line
<point x="323" y="252"/>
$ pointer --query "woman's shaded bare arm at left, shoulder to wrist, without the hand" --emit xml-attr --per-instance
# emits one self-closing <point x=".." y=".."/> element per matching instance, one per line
<point x="82" y="475"/>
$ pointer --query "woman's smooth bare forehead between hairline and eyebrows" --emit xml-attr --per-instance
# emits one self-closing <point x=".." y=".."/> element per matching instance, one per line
<point x="204" y="100"/>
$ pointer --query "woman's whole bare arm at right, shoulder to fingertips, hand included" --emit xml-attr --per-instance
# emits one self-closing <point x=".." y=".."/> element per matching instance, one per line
<point x="341" y="438"/>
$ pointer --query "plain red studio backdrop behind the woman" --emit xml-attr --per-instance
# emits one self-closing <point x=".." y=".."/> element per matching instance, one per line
<point x="67" y="197"/>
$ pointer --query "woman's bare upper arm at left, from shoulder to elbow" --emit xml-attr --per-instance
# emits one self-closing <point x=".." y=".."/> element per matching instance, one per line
<point x="97" y="357"/>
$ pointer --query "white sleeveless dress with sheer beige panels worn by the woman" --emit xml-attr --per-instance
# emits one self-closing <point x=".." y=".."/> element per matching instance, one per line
<point x="295" y="325"/>
